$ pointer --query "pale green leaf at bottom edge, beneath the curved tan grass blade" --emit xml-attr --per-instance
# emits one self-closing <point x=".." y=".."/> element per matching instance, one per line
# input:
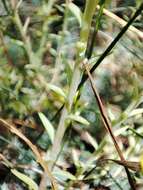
<point x="27" y="180"/>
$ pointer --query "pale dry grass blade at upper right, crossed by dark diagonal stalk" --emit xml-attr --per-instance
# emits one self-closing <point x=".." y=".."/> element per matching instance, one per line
<point x="132" y="31"/>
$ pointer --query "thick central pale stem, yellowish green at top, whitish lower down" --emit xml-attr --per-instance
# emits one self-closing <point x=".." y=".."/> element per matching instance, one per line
<point x="84" y="34"/>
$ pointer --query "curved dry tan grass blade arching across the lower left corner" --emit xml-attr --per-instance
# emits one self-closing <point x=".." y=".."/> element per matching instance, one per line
<point x="15" y="131"/>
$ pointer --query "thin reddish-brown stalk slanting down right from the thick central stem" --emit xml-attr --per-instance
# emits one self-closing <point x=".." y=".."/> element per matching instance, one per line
<point x="107" y="123"/>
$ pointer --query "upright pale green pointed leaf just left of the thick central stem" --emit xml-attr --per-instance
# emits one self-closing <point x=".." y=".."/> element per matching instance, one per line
<point x="48" y="126"/>
